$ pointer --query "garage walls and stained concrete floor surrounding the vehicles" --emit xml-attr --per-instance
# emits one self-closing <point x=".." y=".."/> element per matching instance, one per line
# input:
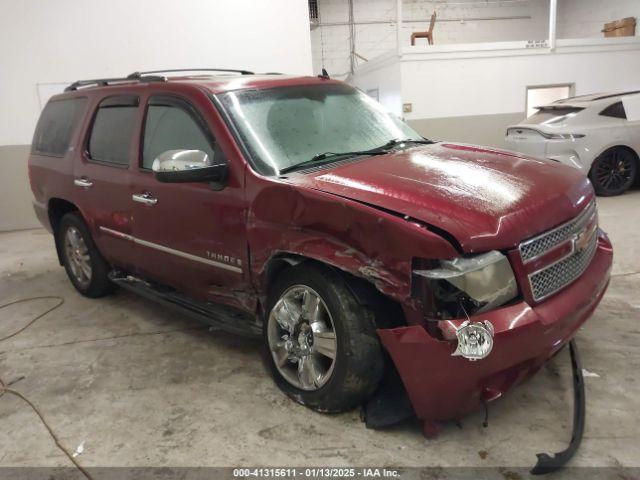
<point x="123" y="382"/>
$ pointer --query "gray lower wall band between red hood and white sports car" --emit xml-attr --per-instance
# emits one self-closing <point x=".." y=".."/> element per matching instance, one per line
<point x="488" y="130"/>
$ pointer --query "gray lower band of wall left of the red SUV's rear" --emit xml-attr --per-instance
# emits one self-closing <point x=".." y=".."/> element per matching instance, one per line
<point x="16" y="211"/>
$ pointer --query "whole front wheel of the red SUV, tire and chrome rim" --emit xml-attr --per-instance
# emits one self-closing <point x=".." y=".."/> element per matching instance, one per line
<point x="356" y="368"/>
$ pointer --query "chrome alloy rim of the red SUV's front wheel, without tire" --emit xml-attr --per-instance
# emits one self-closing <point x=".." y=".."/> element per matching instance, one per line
<point x="302" y="338"/>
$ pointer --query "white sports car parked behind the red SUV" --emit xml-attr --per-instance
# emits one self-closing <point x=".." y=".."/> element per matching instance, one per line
<point x="598" y="134"/>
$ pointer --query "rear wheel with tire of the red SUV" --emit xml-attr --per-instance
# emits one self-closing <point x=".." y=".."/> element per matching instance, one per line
<point x="84" y="264"/>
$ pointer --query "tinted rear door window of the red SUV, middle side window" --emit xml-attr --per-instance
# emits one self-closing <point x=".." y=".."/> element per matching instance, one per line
<point x="112" y="130"/>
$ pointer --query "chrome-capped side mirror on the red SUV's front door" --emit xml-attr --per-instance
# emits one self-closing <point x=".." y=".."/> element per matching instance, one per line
<point x="174" y="166"/>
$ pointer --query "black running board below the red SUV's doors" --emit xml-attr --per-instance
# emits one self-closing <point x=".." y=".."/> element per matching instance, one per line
<point x="220" y="316"/>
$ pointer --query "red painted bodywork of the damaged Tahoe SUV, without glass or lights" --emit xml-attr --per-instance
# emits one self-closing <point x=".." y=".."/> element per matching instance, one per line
<point x="369" y="218"/>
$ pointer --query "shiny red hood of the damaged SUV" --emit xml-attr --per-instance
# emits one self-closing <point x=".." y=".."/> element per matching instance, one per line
<point x="486" y="199"/>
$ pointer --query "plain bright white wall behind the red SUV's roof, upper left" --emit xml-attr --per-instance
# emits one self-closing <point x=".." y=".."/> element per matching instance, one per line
<point x="65" y="40"/>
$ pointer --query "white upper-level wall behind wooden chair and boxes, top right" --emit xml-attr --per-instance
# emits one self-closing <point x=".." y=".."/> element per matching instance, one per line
<point x="576" y="19"/>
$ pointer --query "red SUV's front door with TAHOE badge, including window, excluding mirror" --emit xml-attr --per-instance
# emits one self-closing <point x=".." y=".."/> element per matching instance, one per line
<point x="190" y="235"/>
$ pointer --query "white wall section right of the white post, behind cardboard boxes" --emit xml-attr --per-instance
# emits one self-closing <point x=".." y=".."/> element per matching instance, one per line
<point x="586" y="18"/>
